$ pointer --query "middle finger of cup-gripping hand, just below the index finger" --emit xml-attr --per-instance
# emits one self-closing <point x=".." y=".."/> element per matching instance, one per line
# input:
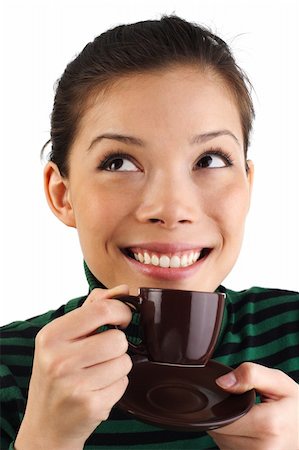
<point x="99" y="348"/>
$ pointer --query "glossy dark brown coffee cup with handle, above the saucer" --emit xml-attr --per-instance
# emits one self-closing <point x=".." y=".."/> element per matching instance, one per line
<point x="178" y="327"/>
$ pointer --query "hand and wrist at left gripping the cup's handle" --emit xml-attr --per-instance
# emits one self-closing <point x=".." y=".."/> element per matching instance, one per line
<point x="78" y="374"/>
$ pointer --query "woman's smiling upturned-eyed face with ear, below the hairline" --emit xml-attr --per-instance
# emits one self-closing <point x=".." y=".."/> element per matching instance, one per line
<point x="157" y="186"/>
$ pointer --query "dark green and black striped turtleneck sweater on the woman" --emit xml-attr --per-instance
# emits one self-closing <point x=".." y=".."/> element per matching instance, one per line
<point x="259" y="325"/>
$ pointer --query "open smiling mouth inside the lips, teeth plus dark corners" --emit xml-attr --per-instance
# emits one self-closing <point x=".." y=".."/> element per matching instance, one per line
<point x="174" y="260"/>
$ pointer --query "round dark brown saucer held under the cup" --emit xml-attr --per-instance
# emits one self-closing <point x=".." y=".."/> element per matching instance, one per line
<point x="182" y="398"/>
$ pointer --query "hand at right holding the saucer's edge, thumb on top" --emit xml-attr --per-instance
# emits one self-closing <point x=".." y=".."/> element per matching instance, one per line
<point x="270" y="425"/>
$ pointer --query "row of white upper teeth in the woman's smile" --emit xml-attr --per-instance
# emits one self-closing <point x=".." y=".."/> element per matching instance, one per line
<point x="175" y="261"/>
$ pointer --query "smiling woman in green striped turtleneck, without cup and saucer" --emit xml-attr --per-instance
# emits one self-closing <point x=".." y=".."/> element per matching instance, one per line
<point x="150" y="131"/>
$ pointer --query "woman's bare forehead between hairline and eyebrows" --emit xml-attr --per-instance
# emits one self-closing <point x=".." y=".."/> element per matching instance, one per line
<point x="175" y="101"/>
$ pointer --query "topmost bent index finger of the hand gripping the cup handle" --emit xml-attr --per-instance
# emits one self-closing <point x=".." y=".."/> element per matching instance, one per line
<point x="99" y="310"/>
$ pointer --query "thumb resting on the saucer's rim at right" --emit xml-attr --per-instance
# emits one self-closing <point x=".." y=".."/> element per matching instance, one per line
<point x="271" y="383"/>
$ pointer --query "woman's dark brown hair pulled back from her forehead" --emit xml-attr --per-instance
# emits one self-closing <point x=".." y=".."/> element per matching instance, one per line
<point x="137" y="48"/>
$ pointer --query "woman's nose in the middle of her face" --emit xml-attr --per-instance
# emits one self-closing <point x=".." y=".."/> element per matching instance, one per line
<point x="169" y="200"/>
